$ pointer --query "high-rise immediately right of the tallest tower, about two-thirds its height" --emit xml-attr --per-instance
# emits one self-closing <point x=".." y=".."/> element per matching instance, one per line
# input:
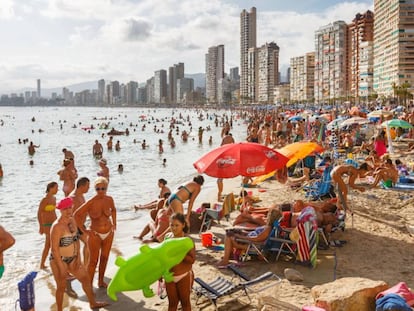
<point x="268" y="72"/>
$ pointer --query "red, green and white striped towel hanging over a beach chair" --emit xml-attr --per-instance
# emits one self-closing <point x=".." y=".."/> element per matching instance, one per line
<point x="308" y="236"/>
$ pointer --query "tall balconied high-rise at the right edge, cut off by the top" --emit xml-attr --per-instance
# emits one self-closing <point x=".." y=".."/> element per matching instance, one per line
<point x="393" y="45"/>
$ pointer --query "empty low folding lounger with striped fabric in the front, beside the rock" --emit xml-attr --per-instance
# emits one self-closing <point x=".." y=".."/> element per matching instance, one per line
<point x="222" y="287"/>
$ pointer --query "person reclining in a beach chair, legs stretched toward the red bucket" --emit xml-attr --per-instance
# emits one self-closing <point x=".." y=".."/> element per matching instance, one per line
<point x="260" y="234"/>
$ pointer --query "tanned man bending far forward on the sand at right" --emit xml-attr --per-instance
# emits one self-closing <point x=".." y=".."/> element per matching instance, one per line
<point x="353" y="173"/>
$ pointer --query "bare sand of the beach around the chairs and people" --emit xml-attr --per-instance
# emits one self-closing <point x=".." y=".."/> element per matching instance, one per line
<point x="379" y="247"/>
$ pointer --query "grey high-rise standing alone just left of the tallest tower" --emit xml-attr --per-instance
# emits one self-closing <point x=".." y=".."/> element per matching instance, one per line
<point x="214" y="71"/>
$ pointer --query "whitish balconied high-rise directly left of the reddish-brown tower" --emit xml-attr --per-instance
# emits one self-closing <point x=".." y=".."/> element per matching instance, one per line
<point x="330" y="62"/>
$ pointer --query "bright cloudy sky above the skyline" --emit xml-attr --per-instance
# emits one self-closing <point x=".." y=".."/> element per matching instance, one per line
<point x="63" y="42"/>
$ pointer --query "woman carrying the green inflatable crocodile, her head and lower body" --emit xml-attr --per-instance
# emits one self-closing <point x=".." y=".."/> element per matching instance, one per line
<point x="179" y="290"/>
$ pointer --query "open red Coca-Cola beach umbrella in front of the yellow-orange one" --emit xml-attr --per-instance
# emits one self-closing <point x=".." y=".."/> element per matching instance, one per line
<point x="240" y="159"/>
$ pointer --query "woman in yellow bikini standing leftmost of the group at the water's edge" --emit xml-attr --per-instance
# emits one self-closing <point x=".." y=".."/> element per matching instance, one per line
<point x="46" y="215"/>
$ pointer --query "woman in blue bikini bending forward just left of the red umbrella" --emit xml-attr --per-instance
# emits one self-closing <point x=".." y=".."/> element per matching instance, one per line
<point x="187" y="192"/>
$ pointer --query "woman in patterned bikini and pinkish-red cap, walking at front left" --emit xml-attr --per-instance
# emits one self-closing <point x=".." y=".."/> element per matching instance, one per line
<point x="65" y="258"/>
